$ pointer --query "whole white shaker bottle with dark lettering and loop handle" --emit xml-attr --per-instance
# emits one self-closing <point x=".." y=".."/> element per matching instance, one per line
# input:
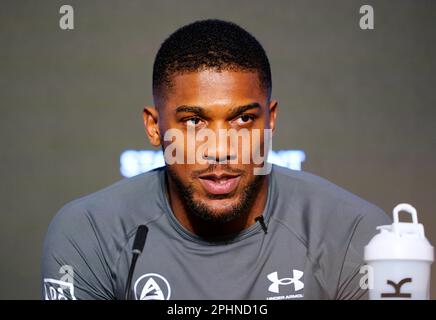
<point x="399" y="260"/>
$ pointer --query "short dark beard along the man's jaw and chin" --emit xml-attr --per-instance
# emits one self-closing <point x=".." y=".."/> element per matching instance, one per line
<point x="201" y="211"/>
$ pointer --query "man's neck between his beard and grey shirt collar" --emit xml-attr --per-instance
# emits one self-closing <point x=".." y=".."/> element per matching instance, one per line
<point x="206" y="229"/>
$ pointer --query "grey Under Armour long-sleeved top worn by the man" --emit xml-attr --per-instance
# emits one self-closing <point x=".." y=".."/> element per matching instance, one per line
<point x="313" y="248"/>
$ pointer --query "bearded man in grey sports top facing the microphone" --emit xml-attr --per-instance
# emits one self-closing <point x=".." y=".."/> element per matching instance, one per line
<point x="218" y="227"/>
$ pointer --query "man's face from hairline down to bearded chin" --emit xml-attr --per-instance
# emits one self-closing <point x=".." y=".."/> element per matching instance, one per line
<point x="214" y="100"/>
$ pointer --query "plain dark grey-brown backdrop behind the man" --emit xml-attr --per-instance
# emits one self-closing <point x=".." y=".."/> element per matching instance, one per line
<point x="361" y="104"/>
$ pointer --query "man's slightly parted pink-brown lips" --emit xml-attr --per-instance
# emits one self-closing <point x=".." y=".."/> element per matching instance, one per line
<point x="219" y="183"/>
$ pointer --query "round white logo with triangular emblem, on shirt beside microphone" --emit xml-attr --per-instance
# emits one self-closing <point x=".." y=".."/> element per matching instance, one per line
<point x="152" y="286"/>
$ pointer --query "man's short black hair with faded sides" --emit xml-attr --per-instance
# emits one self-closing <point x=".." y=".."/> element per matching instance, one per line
<point x="210" y="44"/>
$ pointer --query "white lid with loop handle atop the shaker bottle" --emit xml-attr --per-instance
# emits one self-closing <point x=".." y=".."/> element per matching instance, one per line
<point x="401" y="240"/>
